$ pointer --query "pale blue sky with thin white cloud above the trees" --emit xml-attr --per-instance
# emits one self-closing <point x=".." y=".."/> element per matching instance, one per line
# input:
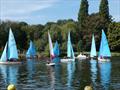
<point x="43" y="11"/>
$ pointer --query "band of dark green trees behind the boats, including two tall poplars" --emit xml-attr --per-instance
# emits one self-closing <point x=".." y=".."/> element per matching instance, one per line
<point x="81" y="31"/>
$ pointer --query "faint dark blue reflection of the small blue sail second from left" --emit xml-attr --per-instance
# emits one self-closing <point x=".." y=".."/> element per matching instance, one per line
<point x="30" y="68"/>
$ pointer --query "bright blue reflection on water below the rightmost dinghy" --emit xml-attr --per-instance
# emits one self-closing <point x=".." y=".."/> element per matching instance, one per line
<point x="105" y="71"/>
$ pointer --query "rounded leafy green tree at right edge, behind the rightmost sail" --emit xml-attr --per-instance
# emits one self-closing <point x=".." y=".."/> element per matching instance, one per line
<point x="114" y="36"/>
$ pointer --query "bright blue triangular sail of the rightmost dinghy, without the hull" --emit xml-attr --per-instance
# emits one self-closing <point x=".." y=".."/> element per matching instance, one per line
<point x="104" y="47"/>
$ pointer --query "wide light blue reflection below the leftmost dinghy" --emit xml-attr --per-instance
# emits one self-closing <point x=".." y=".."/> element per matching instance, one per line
<point x="9" y="73"/>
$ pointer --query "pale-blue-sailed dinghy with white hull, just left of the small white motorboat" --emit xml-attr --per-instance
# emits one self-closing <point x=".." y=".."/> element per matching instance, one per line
<point x="70" y="52"/>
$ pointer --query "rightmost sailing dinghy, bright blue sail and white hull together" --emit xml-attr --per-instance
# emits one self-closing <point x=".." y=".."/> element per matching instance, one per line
<point x="104" y="52"/>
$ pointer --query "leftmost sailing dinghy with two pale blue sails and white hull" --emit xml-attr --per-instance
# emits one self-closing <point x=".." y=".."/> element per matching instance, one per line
<point x="10" y="53"/>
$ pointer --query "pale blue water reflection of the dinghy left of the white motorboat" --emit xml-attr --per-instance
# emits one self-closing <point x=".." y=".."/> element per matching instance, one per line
<point x="70" y="70"/>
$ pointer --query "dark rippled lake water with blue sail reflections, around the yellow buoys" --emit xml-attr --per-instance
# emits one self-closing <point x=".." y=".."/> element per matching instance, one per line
<point x="35" y="75"/>
